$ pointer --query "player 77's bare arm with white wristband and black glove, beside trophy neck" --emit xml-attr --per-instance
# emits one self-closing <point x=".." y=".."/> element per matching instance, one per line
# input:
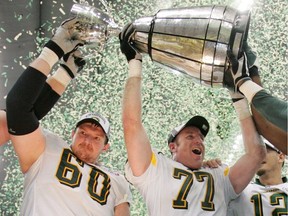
<point x="136" y="140"/>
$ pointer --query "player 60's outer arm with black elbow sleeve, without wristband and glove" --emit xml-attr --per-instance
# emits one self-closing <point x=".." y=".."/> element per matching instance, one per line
<point x="23" y="124"/>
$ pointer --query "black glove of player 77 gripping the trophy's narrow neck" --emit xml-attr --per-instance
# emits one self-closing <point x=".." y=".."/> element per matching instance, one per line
<point x="126" y="43"/>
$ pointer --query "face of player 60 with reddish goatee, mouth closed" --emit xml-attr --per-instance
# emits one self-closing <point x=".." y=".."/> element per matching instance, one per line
<point x="88" y="141"/>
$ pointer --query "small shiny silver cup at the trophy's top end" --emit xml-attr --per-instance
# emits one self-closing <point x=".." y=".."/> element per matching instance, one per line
<point x="95" y="27"/>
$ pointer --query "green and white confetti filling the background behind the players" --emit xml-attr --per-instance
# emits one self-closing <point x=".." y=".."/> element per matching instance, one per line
<point x="168" y="99"/>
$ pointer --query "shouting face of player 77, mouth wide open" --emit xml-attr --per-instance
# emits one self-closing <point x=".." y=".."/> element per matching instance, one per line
<point x="188" y="147"/>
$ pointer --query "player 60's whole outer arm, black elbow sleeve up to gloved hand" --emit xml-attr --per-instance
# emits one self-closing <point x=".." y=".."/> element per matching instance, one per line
<point x="23" y="124"/>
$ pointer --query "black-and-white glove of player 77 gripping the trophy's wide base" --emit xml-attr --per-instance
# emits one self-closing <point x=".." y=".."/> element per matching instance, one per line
<point x="239" y="70"/>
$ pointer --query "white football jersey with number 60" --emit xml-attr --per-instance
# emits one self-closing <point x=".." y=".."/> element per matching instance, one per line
<point x="60" y="184"/>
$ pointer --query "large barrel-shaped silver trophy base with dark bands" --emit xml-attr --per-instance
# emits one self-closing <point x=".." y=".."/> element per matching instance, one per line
<point x="194" y="40"/>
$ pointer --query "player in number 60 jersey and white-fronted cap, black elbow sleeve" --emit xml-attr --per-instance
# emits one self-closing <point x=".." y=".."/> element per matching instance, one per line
<point x="61" y="179"/>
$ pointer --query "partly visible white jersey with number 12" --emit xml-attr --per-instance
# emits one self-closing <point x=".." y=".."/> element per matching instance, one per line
<point x="260" y="200"/>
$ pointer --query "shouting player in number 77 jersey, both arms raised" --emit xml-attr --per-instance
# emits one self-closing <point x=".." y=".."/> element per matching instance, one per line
<point x="180" y="186"/>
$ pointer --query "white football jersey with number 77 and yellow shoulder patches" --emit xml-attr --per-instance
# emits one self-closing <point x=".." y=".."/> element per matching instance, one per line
<point x="169" y="188"/>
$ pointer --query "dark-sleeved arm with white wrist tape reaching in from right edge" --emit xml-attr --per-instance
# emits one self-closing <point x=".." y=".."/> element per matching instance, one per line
<point x="269" y="112"/>
